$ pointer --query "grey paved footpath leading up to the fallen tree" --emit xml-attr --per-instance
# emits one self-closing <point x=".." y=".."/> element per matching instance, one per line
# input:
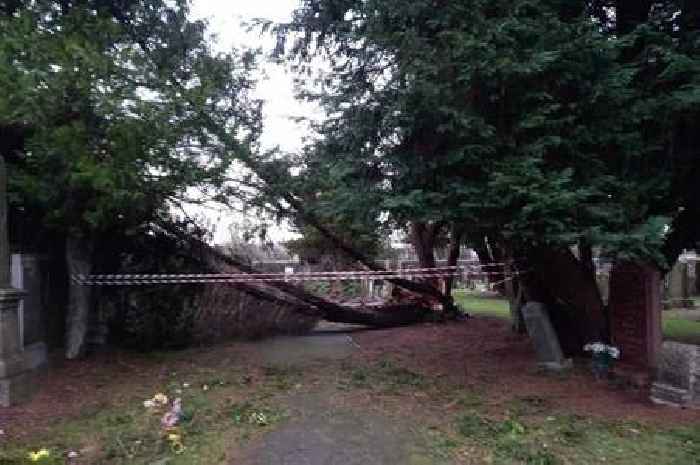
<point x="322" y="434"/>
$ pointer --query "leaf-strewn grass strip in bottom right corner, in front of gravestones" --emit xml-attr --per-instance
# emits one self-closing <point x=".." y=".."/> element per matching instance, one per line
<point x="577" y="440"/>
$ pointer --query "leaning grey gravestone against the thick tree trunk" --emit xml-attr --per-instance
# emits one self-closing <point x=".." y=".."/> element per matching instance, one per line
<point x="541" y="331"/>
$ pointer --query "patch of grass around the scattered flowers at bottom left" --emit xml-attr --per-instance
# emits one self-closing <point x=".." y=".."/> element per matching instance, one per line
<point x="126" y="432"/>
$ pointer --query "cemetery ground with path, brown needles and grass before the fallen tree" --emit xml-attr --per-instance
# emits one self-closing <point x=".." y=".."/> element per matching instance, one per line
<point x="466" y="392"/>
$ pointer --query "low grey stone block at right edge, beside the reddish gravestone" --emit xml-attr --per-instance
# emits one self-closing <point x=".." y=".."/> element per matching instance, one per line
<point x="677" y="376"/>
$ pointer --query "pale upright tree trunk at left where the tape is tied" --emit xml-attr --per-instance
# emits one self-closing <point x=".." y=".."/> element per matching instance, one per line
<point x="80" y="304"/>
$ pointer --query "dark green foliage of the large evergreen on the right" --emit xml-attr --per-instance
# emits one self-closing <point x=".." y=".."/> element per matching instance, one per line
<point x="527" y="118"/>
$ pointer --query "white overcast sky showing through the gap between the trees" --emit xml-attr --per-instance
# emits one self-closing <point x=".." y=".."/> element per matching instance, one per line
<point x="276" y="88"/>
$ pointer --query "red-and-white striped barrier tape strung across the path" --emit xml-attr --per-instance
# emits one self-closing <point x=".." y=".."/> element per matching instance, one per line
<point x="224" y="278"/>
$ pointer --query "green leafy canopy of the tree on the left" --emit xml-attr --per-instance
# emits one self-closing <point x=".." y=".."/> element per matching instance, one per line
<point x="117" y="106"/>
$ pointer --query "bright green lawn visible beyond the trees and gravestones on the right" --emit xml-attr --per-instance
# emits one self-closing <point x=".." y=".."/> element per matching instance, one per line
<point x="678" y="325"/>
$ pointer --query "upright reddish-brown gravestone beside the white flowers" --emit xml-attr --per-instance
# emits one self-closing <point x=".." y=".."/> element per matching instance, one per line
<point x="635" y="313"/>
